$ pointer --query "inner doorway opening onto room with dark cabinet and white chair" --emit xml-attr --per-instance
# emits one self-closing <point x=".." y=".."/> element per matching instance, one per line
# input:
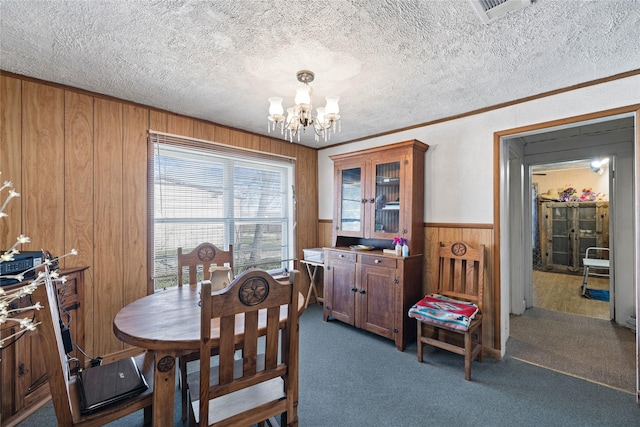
<point x="570" y="213"/>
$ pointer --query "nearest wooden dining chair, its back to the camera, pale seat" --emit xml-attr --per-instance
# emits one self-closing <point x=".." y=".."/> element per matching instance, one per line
<point x="264" y="382"/>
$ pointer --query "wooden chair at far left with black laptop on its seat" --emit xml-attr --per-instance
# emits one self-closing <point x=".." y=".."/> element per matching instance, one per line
<point x="63" y="385"/>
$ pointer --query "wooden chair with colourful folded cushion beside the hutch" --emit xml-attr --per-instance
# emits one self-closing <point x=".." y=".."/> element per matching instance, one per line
<point x="451" y="319"/>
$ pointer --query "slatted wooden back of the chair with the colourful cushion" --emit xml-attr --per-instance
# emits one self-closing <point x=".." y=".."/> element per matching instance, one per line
<point x="461" y="272"/>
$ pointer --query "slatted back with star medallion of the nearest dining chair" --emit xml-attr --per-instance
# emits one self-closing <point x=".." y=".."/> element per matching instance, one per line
<point x="249" y="312"/>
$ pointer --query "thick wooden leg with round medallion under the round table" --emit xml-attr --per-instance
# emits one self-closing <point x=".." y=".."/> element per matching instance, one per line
<point x="164" y="388"/>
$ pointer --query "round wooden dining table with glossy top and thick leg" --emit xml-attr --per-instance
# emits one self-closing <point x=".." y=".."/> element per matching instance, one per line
<point x="167" y="323"/>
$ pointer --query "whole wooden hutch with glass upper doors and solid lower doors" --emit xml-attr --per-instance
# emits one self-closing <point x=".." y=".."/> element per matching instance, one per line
<point x="379" y="196"/>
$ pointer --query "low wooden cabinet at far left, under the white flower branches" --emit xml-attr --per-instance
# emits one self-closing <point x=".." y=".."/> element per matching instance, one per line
<point x="23" y="376"/>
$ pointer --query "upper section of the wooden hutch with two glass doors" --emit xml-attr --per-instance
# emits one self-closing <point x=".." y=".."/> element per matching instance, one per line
<point x="380" y="194"/>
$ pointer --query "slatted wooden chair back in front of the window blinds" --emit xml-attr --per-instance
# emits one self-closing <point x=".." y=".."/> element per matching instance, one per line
<point x="202" y="256"/>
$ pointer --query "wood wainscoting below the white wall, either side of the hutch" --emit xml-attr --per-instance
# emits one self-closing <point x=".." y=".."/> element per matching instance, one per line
<point x="473" y="234"/>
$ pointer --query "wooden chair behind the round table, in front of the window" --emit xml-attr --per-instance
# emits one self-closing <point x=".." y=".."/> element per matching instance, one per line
<point x="202" y="256"/>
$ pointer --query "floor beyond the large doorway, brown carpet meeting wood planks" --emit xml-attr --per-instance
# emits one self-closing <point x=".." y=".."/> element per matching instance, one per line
<point x="572" y="334"/>
